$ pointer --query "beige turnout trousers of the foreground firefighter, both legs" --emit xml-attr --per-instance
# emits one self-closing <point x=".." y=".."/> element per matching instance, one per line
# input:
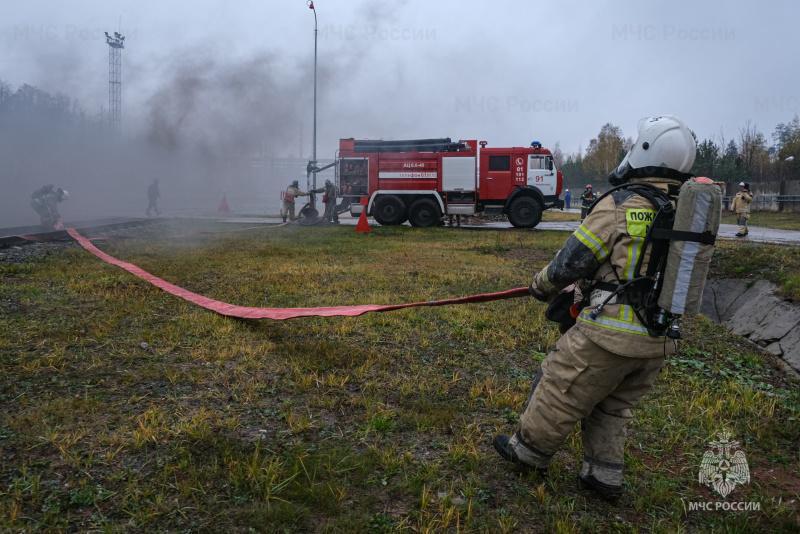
<point x="581" y="381"/>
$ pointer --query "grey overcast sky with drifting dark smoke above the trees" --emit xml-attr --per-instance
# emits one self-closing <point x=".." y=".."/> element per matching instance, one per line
<point x="506" y="72"/>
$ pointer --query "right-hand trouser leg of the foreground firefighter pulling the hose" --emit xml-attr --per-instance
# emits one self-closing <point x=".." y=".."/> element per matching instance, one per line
<point x="604" y="430"/>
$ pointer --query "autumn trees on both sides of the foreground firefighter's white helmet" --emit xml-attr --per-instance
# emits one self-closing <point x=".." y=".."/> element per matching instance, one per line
<point x="748" y="157"/>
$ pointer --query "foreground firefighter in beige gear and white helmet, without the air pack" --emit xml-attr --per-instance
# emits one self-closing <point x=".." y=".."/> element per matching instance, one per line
<point x="601" y="368"/>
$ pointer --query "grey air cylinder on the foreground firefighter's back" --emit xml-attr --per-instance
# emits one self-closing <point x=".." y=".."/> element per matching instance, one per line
<point x="698" y="211"/>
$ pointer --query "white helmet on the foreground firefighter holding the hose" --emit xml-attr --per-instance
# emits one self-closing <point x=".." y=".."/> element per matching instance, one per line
<point x="663" y="141"/>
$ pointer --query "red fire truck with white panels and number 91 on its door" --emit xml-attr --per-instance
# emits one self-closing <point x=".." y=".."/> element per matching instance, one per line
<point x="422" y="180"/>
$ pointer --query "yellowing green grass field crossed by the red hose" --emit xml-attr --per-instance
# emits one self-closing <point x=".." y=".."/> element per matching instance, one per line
<point x="379" y="423"/>
